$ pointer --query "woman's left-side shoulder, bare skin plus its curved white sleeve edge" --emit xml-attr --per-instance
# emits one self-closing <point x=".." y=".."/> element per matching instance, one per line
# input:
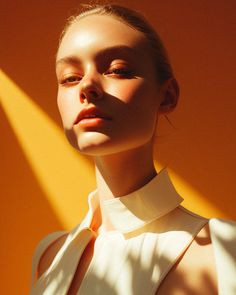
<point x="45" y="252"/>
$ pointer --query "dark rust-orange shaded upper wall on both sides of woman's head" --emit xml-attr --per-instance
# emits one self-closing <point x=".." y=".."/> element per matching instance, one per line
<point x="202" y="148"/>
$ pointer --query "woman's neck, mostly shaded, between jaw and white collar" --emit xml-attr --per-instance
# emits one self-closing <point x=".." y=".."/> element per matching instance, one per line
<point x="120" y="174"/>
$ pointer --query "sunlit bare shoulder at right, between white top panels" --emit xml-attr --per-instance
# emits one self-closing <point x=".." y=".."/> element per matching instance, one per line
<point x="197" y="262"/>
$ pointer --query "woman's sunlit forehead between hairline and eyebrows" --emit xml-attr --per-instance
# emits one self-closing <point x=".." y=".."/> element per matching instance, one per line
<point x="97" y="32"/>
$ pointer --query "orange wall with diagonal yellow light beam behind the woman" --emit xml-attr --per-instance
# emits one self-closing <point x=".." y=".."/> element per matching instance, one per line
<point x="45" y="182"/>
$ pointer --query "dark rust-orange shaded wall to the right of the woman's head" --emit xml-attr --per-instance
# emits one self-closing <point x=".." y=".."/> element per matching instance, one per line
<point x="201" y="148"/>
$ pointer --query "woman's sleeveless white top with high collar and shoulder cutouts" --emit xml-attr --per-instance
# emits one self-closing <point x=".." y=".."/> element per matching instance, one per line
<point x="152" y="230"/>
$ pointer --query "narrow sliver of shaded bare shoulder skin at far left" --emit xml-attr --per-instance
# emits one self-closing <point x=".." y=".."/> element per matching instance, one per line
<point x="49" y="254"/>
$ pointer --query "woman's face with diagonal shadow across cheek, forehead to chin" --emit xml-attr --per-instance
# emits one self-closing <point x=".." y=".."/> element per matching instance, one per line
<point x="108" y="95"/>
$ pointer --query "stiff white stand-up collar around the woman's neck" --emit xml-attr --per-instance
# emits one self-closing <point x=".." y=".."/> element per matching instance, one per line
<point x="133" y="211"/>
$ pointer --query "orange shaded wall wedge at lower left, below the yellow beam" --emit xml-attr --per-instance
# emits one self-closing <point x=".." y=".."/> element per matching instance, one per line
<point x="26" y="215"/>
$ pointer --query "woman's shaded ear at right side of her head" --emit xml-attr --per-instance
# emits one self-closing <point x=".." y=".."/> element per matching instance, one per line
<point x="170" y="96"/>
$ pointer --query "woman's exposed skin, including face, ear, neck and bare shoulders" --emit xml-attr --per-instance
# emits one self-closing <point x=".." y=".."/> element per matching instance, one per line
<point x="105" y="64"/>
